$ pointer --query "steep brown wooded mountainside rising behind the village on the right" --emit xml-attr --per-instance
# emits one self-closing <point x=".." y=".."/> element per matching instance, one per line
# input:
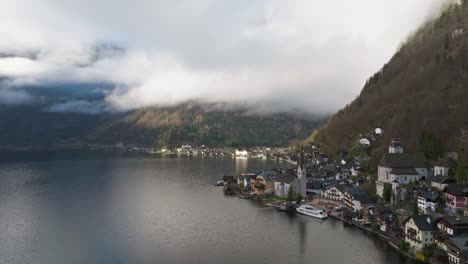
<point x="420" y="95"/>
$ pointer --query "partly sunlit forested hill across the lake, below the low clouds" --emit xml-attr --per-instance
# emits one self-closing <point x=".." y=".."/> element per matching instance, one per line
<point x="201" y="124"/>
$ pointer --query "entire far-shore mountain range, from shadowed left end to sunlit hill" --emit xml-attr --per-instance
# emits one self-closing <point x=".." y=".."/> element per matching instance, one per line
<point x="35" y="126"/>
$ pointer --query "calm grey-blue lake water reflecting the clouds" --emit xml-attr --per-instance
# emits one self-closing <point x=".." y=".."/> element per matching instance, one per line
<point x="149" y="210"/>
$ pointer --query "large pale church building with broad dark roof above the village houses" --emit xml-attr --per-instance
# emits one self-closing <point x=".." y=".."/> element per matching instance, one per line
<point x="400" y="167"/>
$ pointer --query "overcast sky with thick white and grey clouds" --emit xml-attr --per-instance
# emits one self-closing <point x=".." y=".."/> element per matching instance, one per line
<point x="275" y="54"/>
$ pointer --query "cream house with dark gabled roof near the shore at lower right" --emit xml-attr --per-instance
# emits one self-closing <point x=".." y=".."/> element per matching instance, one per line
<point x="419" y="231"/>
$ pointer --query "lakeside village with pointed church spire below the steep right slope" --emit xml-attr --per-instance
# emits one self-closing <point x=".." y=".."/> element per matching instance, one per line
<point x="416" y="205"/>
